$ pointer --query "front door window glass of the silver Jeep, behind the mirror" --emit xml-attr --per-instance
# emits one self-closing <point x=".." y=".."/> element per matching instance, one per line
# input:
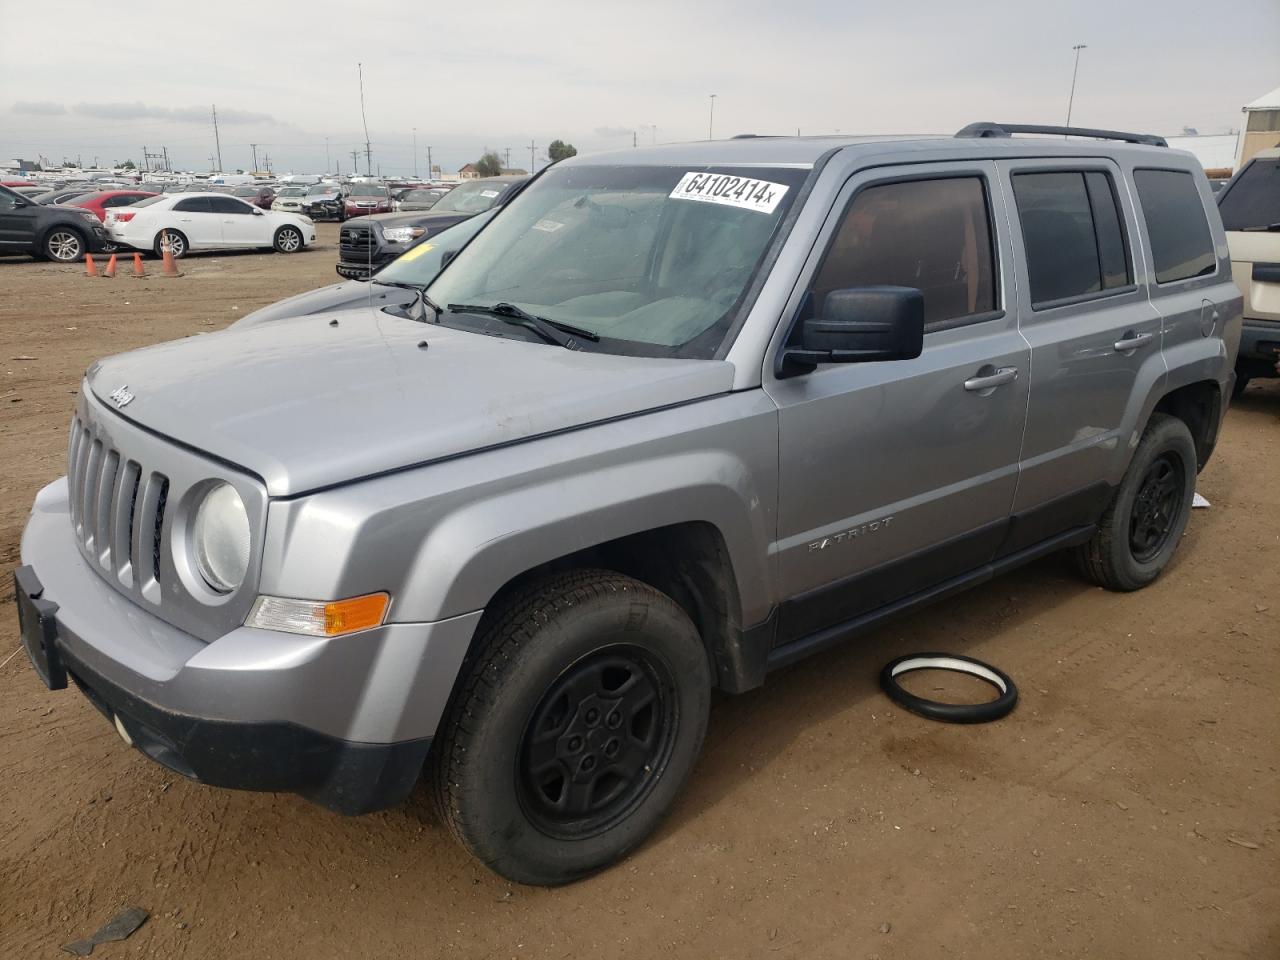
<point x="930" y="235"/>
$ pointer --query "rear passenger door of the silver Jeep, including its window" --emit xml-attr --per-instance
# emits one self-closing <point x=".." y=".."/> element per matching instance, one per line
<point x="1095" y="337"/>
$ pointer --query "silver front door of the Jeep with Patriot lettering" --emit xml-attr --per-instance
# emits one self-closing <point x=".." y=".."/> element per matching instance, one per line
<point x="899" y="476"/>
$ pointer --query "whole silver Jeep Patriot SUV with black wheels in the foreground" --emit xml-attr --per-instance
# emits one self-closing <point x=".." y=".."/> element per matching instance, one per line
<point x="674" y="419"/>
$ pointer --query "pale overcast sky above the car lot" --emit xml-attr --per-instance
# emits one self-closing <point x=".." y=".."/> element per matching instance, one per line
<point x="591" y="72"/>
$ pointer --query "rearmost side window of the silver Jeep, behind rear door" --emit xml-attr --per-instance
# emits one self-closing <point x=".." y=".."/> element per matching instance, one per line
<point x="1181" y="243"/>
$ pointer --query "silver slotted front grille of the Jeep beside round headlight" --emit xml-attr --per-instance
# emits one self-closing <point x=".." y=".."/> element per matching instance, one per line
<point x="107" y="491"/>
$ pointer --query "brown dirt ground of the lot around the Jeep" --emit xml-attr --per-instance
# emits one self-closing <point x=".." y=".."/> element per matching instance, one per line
<point x="1130" y="807"/>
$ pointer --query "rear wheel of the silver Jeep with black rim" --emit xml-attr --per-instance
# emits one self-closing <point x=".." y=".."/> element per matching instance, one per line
<point x="1141" y="528"/>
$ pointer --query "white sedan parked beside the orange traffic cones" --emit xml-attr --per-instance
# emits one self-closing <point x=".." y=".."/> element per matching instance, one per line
<point x="207" y="222"/>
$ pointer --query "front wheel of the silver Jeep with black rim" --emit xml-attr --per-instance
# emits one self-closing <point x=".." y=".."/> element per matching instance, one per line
<point x="547" y="666"/>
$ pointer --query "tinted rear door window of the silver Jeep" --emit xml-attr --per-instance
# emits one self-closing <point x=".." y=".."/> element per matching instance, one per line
<point x="1073" y="234"/>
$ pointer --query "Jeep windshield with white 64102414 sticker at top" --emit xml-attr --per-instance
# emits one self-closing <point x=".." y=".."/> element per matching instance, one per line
<point x="656" y="260"/>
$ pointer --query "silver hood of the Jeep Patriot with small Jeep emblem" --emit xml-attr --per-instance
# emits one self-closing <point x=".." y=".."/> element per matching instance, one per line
<point x="305" y="404"/>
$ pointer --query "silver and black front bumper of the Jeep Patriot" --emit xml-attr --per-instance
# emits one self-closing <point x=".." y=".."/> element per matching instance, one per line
<point x="346" y="723"/>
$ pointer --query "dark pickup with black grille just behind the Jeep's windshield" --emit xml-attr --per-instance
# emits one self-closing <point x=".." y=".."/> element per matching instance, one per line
<point x="368" y="244"/>
